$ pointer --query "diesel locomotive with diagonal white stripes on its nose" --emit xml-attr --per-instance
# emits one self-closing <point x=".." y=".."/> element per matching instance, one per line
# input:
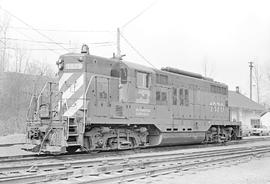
<point x="107" y="103"/>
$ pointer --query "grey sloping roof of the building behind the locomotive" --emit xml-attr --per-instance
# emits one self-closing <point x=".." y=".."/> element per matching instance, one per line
<point x="239" y="100"/>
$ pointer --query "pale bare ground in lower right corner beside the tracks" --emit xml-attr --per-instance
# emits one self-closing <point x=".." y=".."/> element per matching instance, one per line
<point x="255" y="171"/>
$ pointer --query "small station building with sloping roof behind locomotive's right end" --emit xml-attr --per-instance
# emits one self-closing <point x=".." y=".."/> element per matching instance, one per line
<point x="245" y="110"/>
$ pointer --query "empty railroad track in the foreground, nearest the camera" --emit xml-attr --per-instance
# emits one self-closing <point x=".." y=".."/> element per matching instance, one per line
<point x="107" y="170"/>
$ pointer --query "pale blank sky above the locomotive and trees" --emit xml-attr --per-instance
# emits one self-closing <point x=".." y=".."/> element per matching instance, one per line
<point x="221" y="36"/>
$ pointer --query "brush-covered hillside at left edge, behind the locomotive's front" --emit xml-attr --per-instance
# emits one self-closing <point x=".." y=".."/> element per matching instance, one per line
<point x="16" y="90"/>
